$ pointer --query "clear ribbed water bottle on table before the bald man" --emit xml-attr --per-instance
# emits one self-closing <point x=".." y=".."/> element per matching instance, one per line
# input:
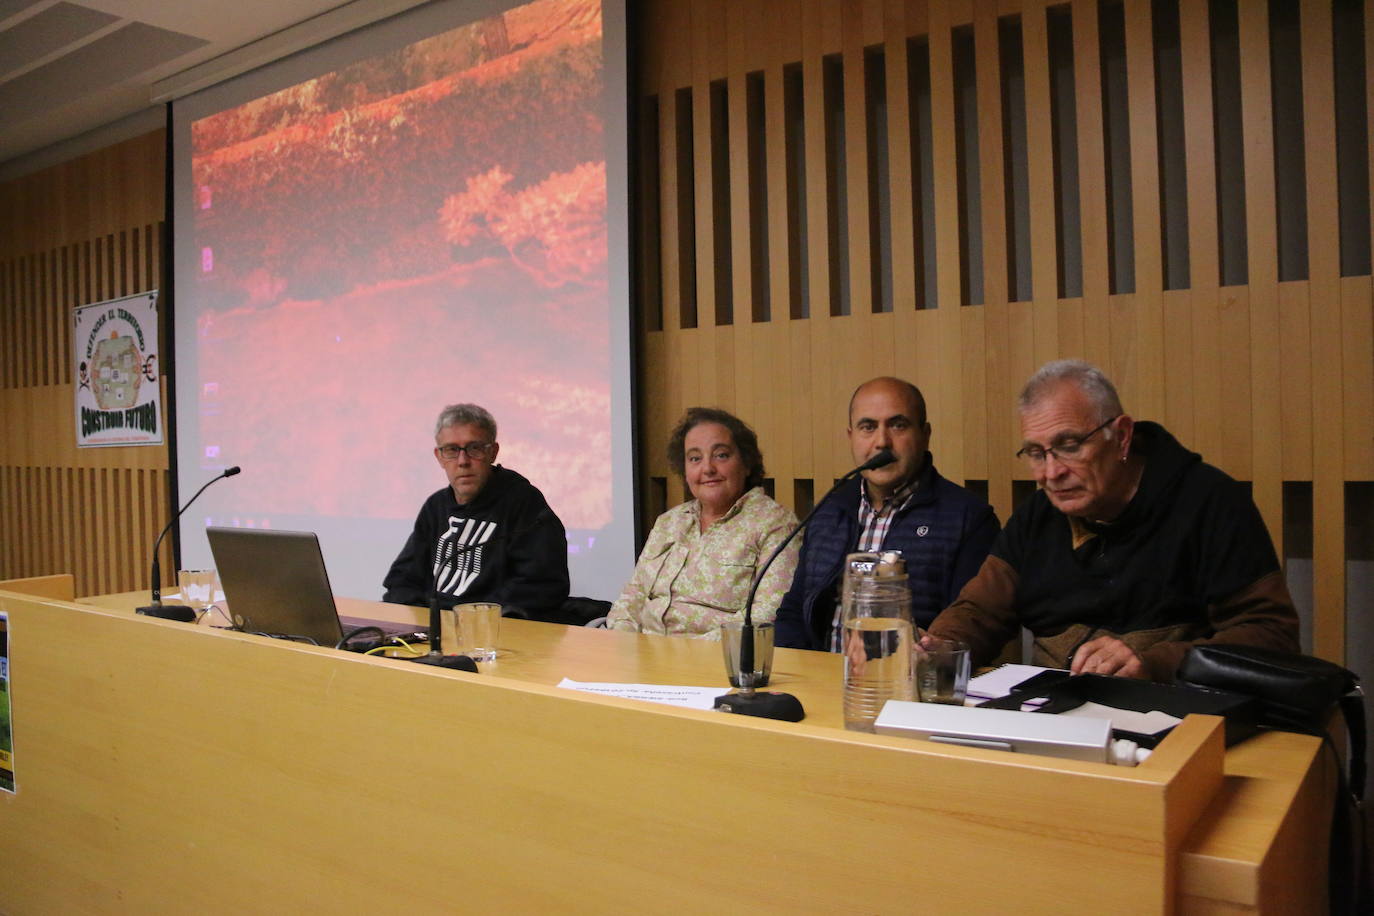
<point x="877" y="639"/>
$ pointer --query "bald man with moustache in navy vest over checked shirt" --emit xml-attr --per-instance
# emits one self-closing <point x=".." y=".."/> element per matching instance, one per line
<point x="943" y="531"/>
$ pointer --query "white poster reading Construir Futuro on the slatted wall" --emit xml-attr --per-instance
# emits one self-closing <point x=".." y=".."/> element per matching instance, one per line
<point x="119" y="399"/>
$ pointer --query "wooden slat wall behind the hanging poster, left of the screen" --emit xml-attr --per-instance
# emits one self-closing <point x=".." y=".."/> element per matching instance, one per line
<point x="75" y="234"/>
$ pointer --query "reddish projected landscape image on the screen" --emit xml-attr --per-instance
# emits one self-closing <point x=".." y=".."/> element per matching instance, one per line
<point x="420" y="229"/>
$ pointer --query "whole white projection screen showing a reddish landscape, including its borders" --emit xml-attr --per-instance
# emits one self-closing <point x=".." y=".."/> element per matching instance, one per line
<point x="425" y="212"/>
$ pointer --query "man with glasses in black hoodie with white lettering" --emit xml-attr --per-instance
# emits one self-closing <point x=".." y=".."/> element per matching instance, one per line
<point x="488" y="536"/>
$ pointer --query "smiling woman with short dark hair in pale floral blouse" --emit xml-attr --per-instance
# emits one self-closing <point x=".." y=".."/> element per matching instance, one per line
<point x="700" y="561"/>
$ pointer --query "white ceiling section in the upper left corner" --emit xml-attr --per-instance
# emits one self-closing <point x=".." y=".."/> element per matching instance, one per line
<point x="68" y="67"/>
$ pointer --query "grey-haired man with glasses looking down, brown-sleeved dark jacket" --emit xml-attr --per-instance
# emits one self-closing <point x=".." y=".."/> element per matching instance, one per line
<point x="1131" y="551"/>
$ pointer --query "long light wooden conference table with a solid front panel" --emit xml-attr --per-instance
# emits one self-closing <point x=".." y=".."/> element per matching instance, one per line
<point x="172" y="768"/>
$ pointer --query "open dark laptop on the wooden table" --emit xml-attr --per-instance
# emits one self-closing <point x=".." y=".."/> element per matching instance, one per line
<point x="275" y="583"/>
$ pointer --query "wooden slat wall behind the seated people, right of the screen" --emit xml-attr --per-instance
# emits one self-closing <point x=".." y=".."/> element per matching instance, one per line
<point x="1274" y="382"/>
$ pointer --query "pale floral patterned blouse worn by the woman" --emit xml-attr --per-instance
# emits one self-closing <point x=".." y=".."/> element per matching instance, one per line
<point x="689" y="582"/>
